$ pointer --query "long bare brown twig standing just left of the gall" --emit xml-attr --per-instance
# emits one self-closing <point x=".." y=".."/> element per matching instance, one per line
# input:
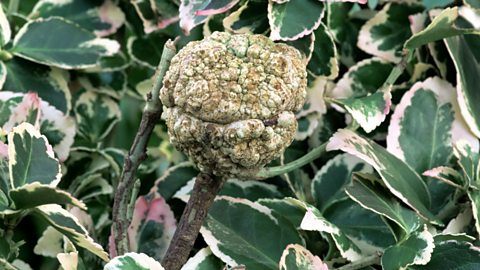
<point x="150" y="117"/>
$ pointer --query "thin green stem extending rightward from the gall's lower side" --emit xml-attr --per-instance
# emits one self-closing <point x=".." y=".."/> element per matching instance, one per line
<point x="309" y="157"/>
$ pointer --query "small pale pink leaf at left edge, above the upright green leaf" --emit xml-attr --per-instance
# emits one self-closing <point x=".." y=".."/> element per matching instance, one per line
<point x="26" y="111"/>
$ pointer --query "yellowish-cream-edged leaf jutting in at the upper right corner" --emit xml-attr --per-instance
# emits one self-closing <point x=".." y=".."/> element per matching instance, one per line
<point x="441" y="27"/>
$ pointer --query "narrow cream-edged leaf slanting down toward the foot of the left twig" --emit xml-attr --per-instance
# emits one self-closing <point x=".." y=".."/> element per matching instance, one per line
<point x="69" y="226"/>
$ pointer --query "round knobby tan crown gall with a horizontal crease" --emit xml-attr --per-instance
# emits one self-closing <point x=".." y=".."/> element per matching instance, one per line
<point x="229" y="102"/>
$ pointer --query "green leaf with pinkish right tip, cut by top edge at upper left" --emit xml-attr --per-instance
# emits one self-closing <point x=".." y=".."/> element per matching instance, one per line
<point x="101" y="17"/>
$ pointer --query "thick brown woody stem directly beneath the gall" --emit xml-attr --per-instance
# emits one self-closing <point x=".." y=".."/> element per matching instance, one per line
<point x="201" y="199"/>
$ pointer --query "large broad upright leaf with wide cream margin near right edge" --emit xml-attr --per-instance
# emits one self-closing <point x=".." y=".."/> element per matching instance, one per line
<point x="432" y="105"/>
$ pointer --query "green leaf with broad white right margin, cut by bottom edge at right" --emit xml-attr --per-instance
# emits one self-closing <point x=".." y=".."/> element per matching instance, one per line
<point x="415" y="250"/>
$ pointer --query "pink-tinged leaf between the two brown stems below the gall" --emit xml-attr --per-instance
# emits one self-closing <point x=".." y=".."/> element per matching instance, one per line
<point x="152" y="226"/>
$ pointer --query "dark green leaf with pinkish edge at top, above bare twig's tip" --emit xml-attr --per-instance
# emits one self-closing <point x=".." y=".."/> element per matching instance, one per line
<point x="156" y="14"/>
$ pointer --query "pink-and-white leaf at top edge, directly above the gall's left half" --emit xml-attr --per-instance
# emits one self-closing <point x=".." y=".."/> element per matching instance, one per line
<point x="194" y="12"/>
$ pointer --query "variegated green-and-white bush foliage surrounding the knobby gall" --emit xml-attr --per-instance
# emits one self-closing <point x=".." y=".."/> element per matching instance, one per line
<point x="384" y="171"/>
